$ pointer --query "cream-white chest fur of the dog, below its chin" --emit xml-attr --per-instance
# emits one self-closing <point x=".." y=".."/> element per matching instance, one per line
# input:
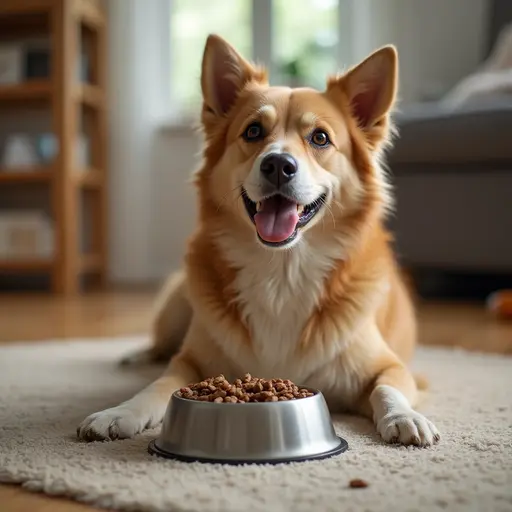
<point x="277" y="293"/>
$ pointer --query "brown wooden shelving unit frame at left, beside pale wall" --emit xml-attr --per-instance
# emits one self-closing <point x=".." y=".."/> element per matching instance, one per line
<point x="65" y="22"/>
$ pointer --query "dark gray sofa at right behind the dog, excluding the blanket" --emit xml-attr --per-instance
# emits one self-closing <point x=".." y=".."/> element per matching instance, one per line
<point x="452" y="172"/>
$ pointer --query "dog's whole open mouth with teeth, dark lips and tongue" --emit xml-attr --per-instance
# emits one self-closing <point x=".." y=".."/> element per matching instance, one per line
<point x="278" y="218"/>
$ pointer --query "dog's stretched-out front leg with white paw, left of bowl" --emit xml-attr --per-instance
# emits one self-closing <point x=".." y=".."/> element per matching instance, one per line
<point x="144" y="410"/>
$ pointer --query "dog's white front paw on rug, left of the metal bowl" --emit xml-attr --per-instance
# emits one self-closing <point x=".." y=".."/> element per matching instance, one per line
<point x="121" y="422"/>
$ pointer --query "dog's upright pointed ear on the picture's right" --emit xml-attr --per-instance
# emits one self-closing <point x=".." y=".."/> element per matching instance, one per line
<point x="371" y="86"/>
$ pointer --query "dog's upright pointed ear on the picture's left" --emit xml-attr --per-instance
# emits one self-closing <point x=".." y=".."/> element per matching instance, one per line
<point x="224" y="74"/>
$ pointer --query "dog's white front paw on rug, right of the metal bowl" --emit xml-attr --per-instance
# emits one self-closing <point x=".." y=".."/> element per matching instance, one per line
<point x="407" y="427"/>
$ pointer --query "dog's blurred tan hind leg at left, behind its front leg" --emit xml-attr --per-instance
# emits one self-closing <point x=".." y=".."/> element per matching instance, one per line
<point x="172" y="318"/>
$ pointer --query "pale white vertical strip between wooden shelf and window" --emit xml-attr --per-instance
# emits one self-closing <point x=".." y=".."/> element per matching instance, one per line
<point x="136" y="54"/>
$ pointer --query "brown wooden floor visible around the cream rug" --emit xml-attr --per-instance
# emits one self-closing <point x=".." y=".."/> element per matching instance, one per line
<point x="41" y="317"/>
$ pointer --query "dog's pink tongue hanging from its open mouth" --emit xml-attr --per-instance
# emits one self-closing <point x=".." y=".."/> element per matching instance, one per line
<point x="277" y="219"/>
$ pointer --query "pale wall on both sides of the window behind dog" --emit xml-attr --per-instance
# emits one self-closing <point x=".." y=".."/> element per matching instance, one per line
<point x="153" y="204"/>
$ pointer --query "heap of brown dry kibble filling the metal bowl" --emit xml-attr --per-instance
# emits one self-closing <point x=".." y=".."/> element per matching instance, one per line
<point x="247" y="389"/>
